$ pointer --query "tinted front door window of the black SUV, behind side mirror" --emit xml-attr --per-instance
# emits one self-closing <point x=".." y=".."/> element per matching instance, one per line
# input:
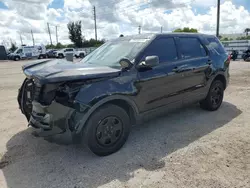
<point x="164" y="48"/>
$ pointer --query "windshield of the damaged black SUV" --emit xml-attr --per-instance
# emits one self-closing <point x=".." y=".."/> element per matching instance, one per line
<point x="112" y="52"/>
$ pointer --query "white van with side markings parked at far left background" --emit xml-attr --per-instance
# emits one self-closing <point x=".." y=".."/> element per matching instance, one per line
<point x="28" y="52"/>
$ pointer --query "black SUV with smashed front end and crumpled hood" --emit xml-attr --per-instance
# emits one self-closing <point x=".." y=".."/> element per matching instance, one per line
<point x="124" y="81"/>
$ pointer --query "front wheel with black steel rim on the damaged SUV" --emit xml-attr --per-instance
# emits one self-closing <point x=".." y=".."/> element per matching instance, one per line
<point x="107" y="120"/>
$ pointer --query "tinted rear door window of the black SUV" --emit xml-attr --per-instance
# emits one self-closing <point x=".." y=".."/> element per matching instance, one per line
<point x="191" y="48"/>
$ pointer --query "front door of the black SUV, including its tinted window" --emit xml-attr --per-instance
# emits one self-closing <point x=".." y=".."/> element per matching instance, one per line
<point x="162" y="84"/>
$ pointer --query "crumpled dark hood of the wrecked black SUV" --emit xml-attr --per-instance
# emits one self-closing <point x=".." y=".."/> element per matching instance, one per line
<point x="51" y="71"/>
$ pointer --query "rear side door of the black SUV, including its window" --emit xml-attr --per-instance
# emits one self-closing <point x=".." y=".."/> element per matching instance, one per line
<point x="196" y="66"/>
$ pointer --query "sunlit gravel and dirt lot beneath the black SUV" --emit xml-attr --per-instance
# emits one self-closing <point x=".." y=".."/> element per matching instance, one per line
<point x="188" y="148"/>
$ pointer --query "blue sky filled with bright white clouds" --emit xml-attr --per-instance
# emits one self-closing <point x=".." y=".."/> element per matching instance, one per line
<point x="115" y="17"/>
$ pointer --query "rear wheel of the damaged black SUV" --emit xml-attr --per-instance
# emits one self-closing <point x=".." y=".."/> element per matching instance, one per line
<point x="215" y="96"/>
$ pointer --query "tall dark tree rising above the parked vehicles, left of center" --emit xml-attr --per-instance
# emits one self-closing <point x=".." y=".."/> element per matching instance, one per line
<point x="75" y="33"/>
